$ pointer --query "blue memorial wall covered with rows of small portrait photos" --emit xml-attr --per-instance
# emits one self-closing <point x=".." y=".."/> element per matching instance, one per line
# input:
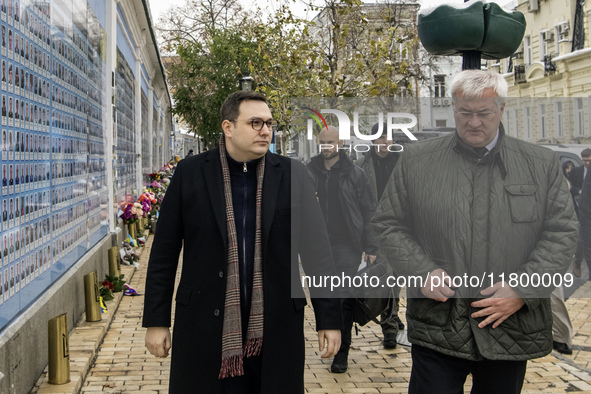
<point x="77" y="141"/>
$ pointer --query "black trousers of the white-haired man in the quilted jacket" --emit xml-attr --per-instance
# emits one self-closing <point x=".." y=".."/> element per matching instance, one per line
<point x="437" y="373"/>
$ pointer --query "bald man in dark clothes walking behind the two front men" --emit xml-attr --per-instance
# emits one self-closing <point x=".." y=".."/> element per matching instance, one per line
<point x="347" y="206"/>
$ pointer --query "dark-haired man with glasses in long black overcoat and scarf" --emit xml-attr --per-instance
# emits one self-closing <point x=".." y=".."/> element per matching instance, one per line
<point x="240" y="269"/>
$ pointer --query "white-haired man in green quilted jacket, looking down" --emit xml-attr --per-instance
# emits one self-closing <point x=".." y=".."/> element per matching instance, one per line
<point x="481" y="226"/>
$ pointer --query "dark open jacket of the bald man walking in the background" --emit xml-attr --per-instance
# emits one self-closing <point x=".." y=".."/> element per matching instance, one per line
<point x="356" y="199"/>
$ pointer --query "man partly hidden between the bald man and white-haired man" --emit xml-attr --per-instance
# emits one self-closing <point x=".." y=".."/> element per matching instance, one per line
<point x="378" y="164"/>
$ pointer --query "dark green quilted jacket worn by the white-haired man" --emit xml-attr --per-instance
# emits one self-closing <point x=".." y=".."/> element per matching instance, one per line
<point x="509" y="212"/>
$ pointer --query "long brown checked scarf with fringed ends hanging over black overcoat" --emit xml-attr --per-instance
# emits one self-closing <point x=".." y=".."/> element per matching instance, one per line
<point x="232" y="348"/>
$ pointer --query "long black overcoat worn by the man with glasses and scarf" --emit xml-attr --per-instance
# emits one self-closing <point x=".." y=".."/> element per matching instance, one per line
<point x="193" y="211"/>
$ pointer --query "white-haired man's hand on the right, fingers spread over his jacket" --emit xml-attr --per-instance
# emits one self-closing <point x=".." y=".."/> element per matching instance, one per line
<point x="504" y="302"/>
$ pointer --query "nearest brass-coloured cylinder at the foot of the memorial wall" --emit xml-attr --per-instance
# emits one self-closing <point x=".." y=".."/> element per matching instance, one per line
<point x="59" y="350"/>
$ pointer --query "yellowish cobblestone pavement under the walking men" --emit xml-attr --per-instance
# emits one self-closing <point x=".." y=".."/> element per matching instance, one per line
<point x="124" y="366"/>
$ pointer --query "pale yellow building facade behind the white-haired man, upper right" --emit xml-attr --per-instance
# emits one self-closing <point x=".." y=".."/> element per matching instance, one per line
<point x="549" y="76"/>
